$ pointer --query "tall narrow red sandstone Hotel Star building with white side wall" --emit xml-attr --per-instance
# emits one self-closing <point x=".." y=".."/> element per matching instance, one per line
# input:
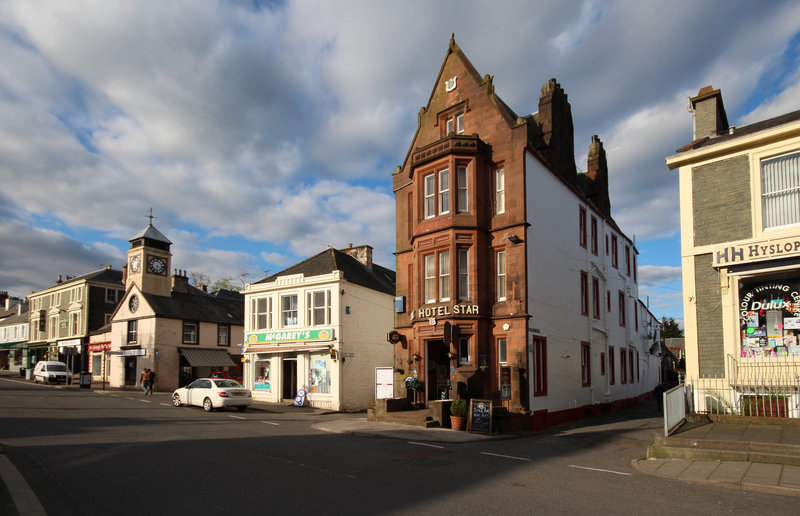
<point x="513" y="281"/>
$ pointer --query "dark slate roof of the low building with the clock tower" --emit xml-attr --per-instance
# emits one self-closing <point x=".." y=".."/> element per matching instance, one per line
<point x="196" y="305"/>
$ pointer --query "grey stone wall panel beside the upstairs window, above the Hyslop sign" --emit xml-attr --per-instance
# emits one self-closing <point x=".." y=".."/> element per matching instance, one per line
<point x="721" y="201"/>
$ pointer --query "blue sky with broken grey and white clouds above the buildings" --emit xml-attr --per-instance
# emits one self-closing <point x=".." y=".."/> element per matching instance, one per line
<point x="262" y="132"/>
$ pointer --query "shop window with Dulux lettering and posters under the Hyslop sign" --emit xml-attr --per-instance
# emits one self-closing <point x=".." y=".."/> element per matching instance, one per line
<point x="769" y="317"/>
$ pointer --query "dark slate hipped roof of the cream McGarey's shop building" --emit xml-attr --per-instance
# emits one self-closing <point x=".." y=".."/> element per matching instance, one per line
<point x="378" y="278"/>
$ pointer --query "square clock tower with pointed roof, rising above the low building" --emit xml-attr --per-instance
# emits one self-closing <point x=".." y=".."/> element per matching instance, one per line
<point x="149" y="262"/>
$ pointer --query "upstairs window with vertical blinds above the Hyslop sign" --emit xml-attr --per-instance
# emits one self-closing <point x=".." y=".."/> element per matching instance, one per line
<point x="780" y="191"/>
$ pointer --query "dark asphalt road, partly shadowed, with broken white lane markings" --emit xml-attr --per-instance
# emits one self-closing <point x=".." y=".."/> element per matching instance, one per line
<point x="88" y="453"/>
